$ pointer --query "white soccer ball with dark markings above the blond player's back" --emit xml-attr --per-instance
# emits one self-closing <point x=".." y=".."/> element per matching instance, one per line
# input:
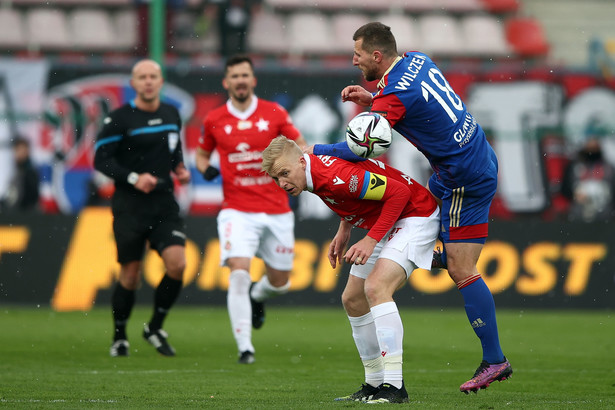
<point x="369" y="135"/>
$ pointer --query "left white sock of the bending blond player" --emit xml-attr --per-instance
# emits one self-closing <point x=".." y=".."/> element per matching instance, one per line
<point x="364" y="334"/>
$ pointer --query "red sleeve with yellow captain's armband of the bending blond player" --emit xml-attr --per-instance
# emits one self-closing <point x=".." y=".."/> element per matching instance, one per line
<point x="394" y="196"/>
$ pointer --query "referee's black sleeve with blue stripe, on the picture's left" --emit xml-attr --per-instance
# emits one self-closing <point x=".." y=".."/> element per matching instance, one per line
<point x="108" y="142"/>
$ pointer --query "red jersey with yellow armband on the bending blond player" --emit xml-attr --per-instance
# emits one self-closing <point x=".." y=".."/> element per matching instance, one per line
<point x="368" y="194"/>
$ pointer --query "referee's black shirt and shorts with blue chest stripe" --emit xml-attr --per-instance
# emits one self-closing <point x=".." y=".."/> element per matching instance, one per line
<point x="136" y="141"/>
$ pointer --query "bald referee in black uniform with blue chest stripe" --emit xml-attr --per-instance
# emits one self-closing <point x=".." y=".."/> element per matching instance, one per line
<point x="139" y="146"/>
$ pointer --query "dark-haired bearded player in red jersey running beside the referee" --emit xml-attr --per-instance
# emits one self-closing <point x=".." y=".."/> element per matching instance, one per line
<point x="256" y="219"/>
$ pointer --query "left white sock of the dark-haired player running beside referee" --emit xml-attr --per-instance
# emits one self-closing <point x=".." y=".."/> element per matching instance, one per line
<point x="240" y="309"/>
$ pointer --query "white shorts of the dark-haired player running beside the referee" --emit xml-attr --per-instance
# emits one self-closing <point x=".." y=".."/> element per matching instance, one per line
<point x="249" y="234"/>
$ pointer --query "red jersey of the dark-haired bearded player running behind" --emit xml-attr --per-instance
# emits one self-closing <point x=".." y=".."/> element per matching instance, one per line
<point x="240" y="138"/>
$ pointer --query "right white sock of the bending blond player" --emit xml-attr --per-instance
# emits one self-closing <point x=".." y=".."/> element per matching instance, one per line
<point x="390" y="331"/>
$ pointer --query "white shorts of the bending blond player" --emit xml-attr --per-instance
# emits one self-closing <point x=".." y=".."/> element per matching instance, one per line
<point x="410" y="243"/>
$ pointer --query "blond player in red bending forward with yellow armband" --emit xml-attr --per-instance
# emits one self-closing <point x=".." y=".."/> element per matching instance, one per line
<point x="402" y="219"/>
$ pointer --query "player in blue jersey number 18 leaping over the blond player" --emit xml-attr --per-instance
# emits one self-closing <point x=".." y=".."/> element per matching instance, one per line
<point x="420" y="104"/>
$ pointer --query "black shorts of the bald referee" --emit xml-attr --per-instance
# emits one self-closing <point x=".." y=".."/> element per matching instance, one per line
<point x="138" y="219"/>
